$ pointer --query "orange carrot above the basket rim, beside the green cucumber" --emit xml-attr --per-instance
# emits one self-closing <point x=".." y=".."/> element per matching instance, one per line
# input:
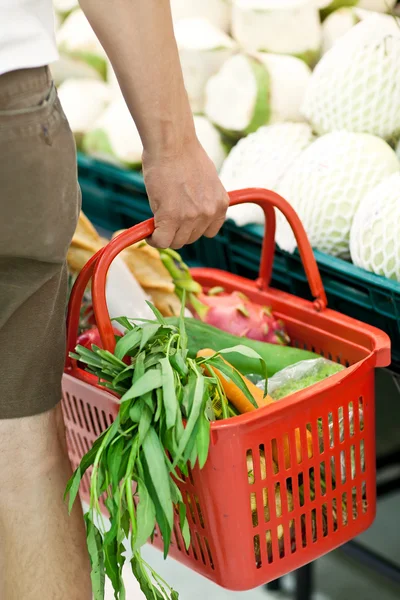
<point x="235" y="394"/>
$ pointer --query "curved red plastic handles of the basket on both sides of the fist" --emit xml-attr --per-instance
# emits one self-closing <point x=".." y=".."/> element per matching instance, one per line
<point x="97" y="267"/>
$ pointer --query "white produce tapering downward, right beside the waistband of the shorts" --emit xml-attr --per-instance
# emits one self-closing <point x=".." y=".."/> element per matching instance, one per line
<point x="83" y="101"/>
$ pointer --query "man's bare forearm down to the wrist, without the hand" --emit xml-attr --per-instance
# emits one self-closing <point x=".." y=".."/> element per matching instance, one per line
<point x="139" y="40"/>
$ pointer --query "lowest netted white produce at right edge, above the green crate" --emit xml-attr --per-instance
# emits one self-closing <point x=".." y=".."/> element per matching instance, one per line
<point x="375" y="239"/>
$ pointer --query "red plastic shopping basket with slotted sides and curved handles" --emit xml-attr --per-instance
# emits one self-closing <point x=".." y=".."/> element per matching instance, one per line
<point x="252" y="518"/>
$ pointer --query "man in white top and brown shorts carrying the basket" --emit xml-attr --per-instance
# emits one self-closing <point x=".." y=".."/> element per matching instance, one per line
<point x="43" y="553"/>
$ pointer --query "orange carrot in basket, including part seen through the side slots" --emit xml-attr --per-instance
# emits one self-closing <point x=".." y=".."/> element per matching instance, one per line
<point x="240" y="402"/>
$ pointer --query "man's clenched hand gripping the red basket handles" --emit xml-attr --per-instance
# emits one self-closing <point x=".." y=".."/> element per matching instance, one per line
<point x="186" y="197"/>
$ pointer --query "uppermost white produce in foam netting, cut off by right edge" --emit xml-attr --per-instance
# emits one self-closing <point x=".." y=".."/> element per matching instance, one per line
<point x="356" y="85"/>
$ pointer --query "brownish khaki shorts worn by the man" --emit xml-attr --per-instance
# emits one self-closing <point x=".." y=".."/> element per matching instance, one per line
<point x="39" y="208"/>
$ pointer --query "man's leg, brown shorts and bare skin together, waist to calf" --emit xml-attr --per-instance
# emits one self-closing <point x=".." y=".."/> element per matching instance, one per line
<point x="43" y="552"/>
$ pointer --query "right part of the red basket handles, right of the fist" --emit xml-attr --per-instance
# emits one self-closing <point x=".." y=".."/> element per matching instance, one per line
<point x="267" y="199"/>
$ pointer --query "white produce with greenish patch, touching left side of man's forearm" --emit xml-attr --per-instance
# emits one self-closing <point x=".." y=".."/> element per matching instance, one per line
<point x="114" y="137"/>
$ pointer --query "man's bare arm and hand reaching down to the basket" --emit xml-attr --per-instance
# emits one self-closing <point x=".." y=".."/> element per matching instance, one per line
<point x="185" y="192"/>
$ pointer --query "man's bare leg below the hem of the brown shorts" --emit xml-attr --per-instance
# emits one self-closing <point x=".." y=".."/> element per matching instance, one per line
<point x="44" y="549"/>
